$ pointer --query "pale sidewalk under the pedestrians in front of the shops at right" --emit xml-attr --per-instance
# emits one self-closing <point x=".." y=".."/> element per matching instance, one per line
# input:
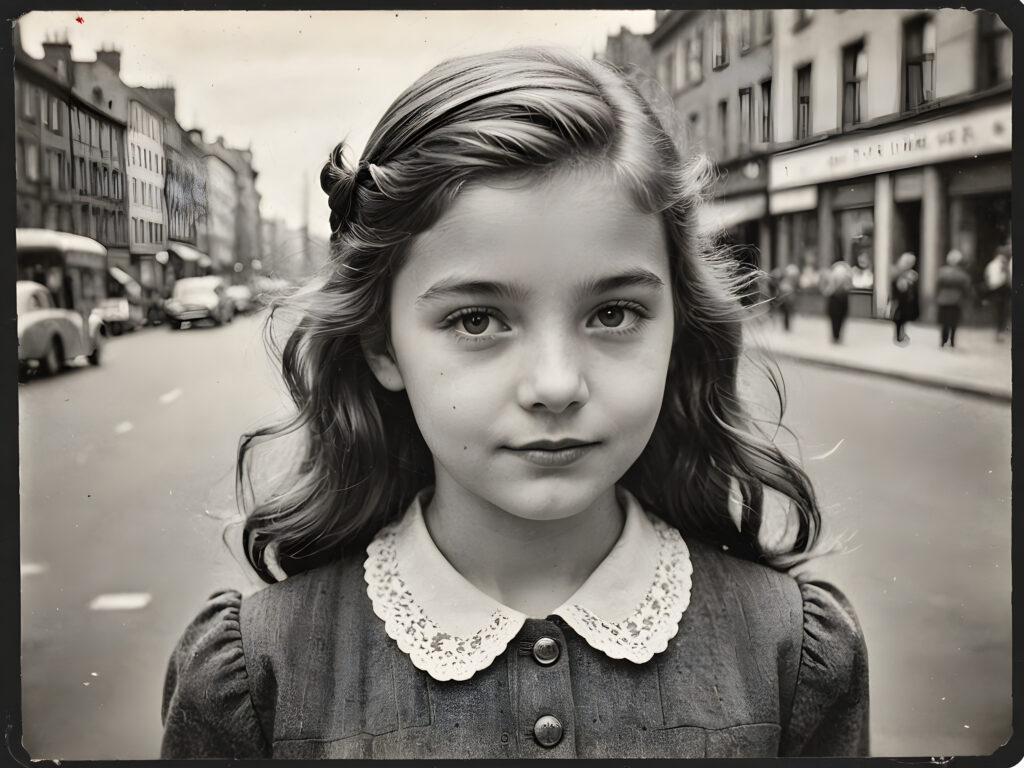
<point x="978" y="365"/>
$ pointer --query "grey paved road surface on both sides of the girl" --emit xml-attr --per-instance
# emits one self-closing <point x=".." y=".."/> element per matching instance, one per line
<point x="127" y="486"/>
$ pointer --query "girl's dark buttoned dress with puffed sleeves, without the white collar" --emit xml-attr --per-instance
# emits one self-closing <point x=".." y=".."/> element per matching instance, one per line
<point x="761" y="666"/>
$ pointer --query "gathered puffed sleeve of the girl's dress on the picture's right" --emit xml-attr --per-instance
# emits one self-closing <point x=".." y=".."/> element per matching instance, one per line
<point x="831" y="704"/>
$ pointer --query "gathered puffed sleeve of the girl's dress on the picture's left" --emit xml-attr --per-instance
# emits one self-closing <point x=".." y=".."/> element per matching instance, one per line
<point x="208" y="709"/>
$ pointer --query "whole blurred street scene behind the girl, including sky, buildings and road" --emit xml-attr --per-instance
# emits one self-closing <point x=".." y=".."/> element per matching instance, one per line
<point x="167" y="189"/>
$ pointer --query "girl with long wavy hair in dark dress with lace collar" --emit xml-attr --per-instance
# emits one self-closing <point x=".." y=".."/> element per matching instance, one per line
<point x="511" y="532"/>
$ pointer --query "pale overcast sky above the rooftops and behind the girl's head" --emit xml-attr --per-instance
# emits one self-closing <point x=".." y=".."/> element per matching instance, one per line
<point x="293" y="84"/>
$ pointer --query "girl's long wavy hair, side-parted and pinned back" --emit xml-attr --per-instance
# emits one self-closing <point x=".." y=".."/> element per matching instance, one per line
<point x="362" y="459"/>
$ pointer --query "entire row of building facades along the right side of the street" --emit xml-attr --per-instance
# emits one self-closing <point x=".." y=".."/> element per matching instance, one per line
<point x="847" y="135"/>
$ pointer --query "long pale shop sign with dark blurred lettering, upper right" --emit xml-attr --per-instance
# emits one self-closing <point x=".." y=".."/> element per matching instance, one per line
<point x="978" y="133"/>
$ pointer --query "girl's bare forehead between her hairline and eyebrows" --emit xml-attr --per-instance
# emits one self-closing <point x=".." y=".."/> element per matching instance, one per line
<point x="570" y="226"/>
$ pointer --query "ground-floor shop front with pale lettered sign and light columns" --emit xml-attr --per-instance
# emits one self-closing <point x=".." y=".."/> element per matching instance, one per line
<point x="924" y="188"/>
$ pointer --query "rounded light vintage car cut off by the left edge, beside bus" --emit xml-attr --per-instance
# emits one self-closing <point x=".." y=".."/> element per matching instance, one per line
<point x="50" y="336"/>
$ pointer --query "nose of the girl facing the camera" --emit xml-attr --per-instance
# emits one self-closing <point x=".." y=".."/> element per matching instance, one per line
<point x="553" y="379"/>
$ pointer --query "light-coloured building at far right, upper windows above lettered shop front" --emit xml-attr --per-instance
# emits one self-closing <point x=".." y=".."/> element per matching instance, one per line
<point x="893" y="133"/>
